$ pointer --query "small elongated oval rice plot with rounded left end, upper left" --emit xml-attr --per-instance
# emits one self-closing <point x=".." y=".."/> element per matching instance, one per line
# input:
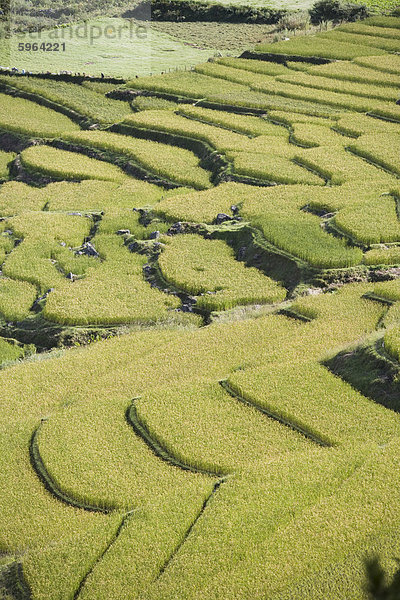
<point x="62" y="164"/>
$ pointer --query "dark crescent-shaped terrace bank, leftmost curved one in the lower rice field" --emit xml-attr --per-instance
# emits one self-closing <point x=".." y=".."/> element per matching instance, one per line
<point x="49" y="483"/>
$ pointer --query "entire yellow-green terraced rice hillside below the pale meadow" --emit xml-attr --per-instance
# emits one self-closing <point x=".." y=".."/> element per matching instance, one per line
<point x="200" y="327"/>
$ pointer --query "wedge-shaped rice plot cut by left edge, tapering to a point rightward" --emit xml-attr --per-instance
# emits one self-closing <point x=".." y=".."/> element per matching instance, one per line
<point x="27" y="118"/>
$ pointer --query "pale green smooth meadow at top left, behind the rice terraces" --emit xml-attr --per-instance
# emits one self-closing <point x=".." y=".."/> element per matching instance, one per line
<point x="118" y="49"/>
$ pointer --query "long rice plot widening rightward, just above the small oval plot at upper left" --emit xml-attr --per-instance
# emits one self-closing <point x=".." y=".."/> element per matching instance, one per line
<point x="171" y="162"/>
